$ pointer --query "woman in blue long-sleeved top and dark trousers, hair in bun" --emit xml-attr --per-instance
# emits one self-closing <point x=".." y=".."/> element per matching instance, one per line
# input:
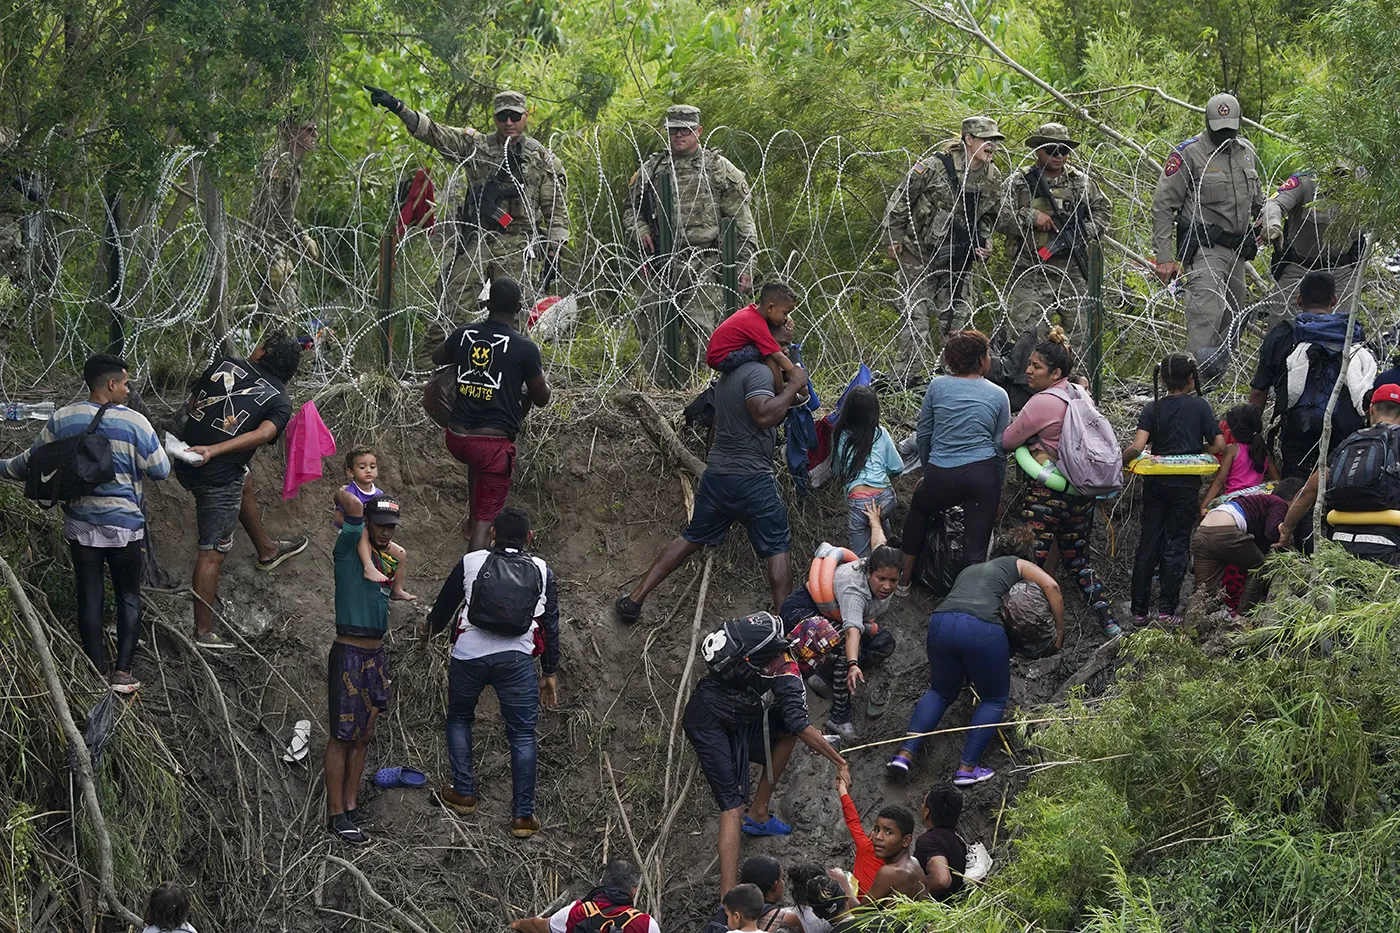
<point x="960" y="445"/>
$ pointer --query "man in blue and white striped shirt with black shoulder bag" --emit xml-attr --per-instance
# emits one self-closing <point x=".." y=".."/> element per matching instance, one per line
<point x="108" y="526"/>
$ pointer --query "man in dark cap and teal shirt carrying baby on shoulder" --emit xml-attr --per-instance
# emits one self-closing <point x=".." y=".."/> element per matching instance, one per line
<point x="358" y="675"/>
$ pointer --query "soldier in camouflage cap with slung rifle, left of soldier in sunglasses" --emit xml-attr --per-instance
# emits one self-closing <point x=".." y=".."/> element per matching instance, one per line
<point x="920" y="221"/>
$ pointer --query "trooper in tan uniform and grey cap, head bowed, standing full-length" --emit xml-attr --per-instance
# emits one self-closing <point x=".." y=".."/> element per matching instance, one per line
<point x="1210" y="193"/>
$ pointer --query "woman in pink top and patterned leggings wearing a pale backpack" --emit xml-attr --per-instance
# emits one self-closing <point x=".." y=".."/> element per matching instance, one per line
<point x="1056" y="518"/>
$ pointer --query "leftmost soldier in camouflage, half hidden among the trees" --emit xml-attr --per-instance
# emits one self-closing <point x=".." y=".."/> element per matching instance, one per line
<point x="282" y="239"/>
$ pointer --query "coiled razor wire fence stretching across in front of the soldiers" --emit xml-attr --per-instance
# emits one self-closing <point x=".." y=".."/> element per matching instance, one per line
<point x="820" y="208"/>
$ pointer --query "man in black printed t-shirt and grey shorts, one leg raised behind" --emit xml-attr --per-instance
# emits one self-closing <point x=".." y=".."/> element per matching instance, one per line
<point x="236" y="408"/>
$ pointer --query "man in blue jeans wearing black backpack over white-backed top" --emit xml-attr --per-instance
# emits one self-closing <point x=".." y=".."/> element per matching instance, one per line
<point x="500" y="658"/>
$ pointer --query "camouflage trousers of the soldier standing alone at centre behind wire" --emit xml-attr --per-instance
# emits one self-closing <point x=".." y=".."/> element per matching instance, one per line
<point x="687" y="291"/>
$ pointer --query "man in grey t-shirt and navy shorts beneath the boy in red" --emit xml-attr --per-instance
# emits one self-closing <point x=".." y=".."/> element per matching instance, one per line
<point x="738" y="484"/>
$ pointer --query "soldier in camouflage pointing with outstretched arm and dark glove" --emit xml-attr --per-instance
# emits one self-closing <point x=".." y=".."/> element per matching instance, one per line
<point x="530" y="225"/>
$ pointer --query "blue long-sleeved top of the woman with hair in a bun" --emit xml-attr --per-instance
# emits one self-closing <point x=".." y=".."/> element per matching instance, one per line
<point x="962" y="421"/>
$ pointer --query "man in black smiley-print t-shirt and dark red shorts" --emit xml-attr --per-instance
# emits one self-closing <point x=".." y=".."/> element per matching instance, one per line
<point x="499" y="376"/>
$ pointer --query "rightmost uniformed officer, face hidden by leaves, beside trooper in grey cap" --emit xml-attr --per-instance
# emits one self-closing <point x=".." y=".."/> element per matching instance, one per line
<point x="1298" y="221"/>
